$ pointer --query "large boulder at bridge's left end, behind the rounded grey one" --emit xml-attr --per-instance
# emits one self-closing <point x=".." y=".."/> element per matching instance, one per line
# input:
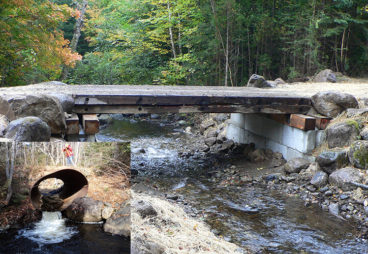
<point x="45" y="107"/>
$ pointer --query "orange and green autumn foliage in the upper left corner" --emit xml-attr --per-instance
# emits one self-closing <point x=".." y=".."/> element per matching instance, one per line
<point x="32" y="48"/>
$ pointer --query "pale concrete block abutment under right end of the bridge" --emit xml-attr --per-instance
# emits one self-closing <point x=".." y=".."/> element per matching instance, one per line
<point x="269" y="134"/>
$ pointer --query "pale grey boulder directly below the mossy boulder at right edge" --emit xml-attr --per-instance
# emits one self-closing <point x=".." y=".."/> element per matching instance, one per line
<point x="344" y="176"/>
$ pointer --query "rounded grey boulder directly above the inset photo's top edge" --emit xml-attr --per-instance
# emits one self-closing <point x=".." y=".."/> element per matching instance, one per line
<point x="28" y="129"/>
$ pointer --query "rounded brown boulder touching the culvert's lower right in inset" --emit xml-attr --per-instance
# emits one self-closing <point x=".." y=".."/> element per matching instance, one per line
<point x="85" y="209"/>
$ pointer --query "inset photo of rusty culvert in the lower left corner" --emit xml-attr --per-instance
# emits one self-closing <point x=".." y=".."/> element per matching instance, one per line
<point x="59" y="197"/>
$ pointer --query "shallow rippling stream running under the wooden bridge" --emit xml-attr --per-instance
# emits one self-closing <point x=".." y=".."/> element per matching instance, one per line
<point x="267" y="221"/>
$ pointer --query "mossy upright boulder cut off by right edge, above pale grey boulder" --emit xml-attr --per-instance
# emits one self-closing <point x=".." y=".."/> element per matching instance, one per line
<point x="358" y="154"/>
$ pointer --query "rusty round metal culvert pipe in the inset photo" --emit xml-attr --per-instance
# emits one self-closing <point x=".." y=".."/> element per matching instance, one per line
<point x="71" y="184"/>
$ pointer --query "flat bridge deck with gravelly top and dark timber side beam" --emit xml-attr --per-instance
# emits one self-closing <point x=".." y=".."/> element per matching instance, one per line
<point x="158" y="99"/>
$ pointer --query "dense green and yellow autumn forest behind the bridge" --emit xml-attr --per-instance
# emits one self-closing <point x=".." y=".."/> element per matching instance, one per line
<point x="179" y="42"/>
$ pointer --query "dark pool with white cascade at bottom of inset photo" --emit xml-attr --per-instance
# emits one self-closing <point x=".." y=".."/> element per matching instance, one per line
<point x="54" y="234"/>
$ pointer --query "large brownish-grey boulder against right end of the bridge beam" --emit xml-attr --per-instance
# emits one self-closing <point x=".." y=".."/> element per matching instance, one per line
<point x="333" y="103"/>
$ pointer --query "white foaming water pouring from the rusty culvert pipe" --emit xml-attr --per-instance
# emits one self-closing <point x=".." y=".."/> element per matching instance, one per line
<point x="49" y="230"/>
